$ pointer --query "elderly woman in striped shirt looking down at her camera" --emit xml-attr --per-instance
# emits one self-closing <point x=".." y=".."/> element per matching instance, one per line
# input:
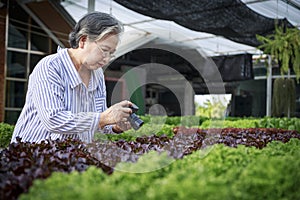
<point x="66" y="94"/>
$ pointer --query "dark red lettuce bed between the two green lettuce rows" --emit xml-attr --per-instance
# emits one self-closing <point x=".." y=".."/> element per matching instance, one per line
<point x="22" y="163"/>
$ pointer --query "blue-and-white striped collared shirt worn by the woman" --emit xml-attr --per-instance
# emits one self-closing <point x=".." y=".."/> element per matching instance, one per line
<point x="59" y="105"/>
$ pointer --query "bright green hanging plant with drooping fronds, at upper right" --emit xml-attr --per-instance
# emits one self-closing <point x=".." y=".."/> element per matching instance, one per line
<point x="284" y="47"/>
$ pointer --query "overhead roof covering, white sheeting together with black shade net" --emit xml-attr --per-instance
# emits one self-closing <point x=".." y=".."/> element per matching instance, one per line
<point x="214" y="27"/>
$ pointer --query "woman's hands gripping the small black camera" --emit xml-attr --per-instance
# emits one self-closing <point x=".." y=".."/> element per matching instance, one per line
<point x="116" y="115"/>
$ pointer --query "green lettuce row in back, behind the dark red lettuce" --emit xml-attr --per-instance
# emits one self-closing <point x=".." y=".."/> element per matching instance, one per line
<point x="162" y="125"/>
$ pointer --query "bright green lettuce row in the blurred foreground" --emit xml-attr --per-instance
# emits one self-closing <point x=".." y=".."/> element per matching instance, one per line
<point x="225" y="173"/>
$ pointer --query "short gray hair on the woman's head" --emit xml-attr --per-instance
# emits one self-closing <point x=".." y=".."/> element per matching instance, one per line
<point x="95" y="26"/>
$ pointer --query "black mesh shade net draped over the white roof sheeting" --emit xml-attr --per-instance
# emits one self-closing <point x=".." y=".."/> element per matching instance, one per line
<point x="229" y="18"/>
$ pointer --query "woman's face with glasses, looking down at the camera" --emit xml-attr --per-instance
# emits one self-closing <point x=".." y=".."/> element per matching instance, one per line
<point x="100" y="52"/>
